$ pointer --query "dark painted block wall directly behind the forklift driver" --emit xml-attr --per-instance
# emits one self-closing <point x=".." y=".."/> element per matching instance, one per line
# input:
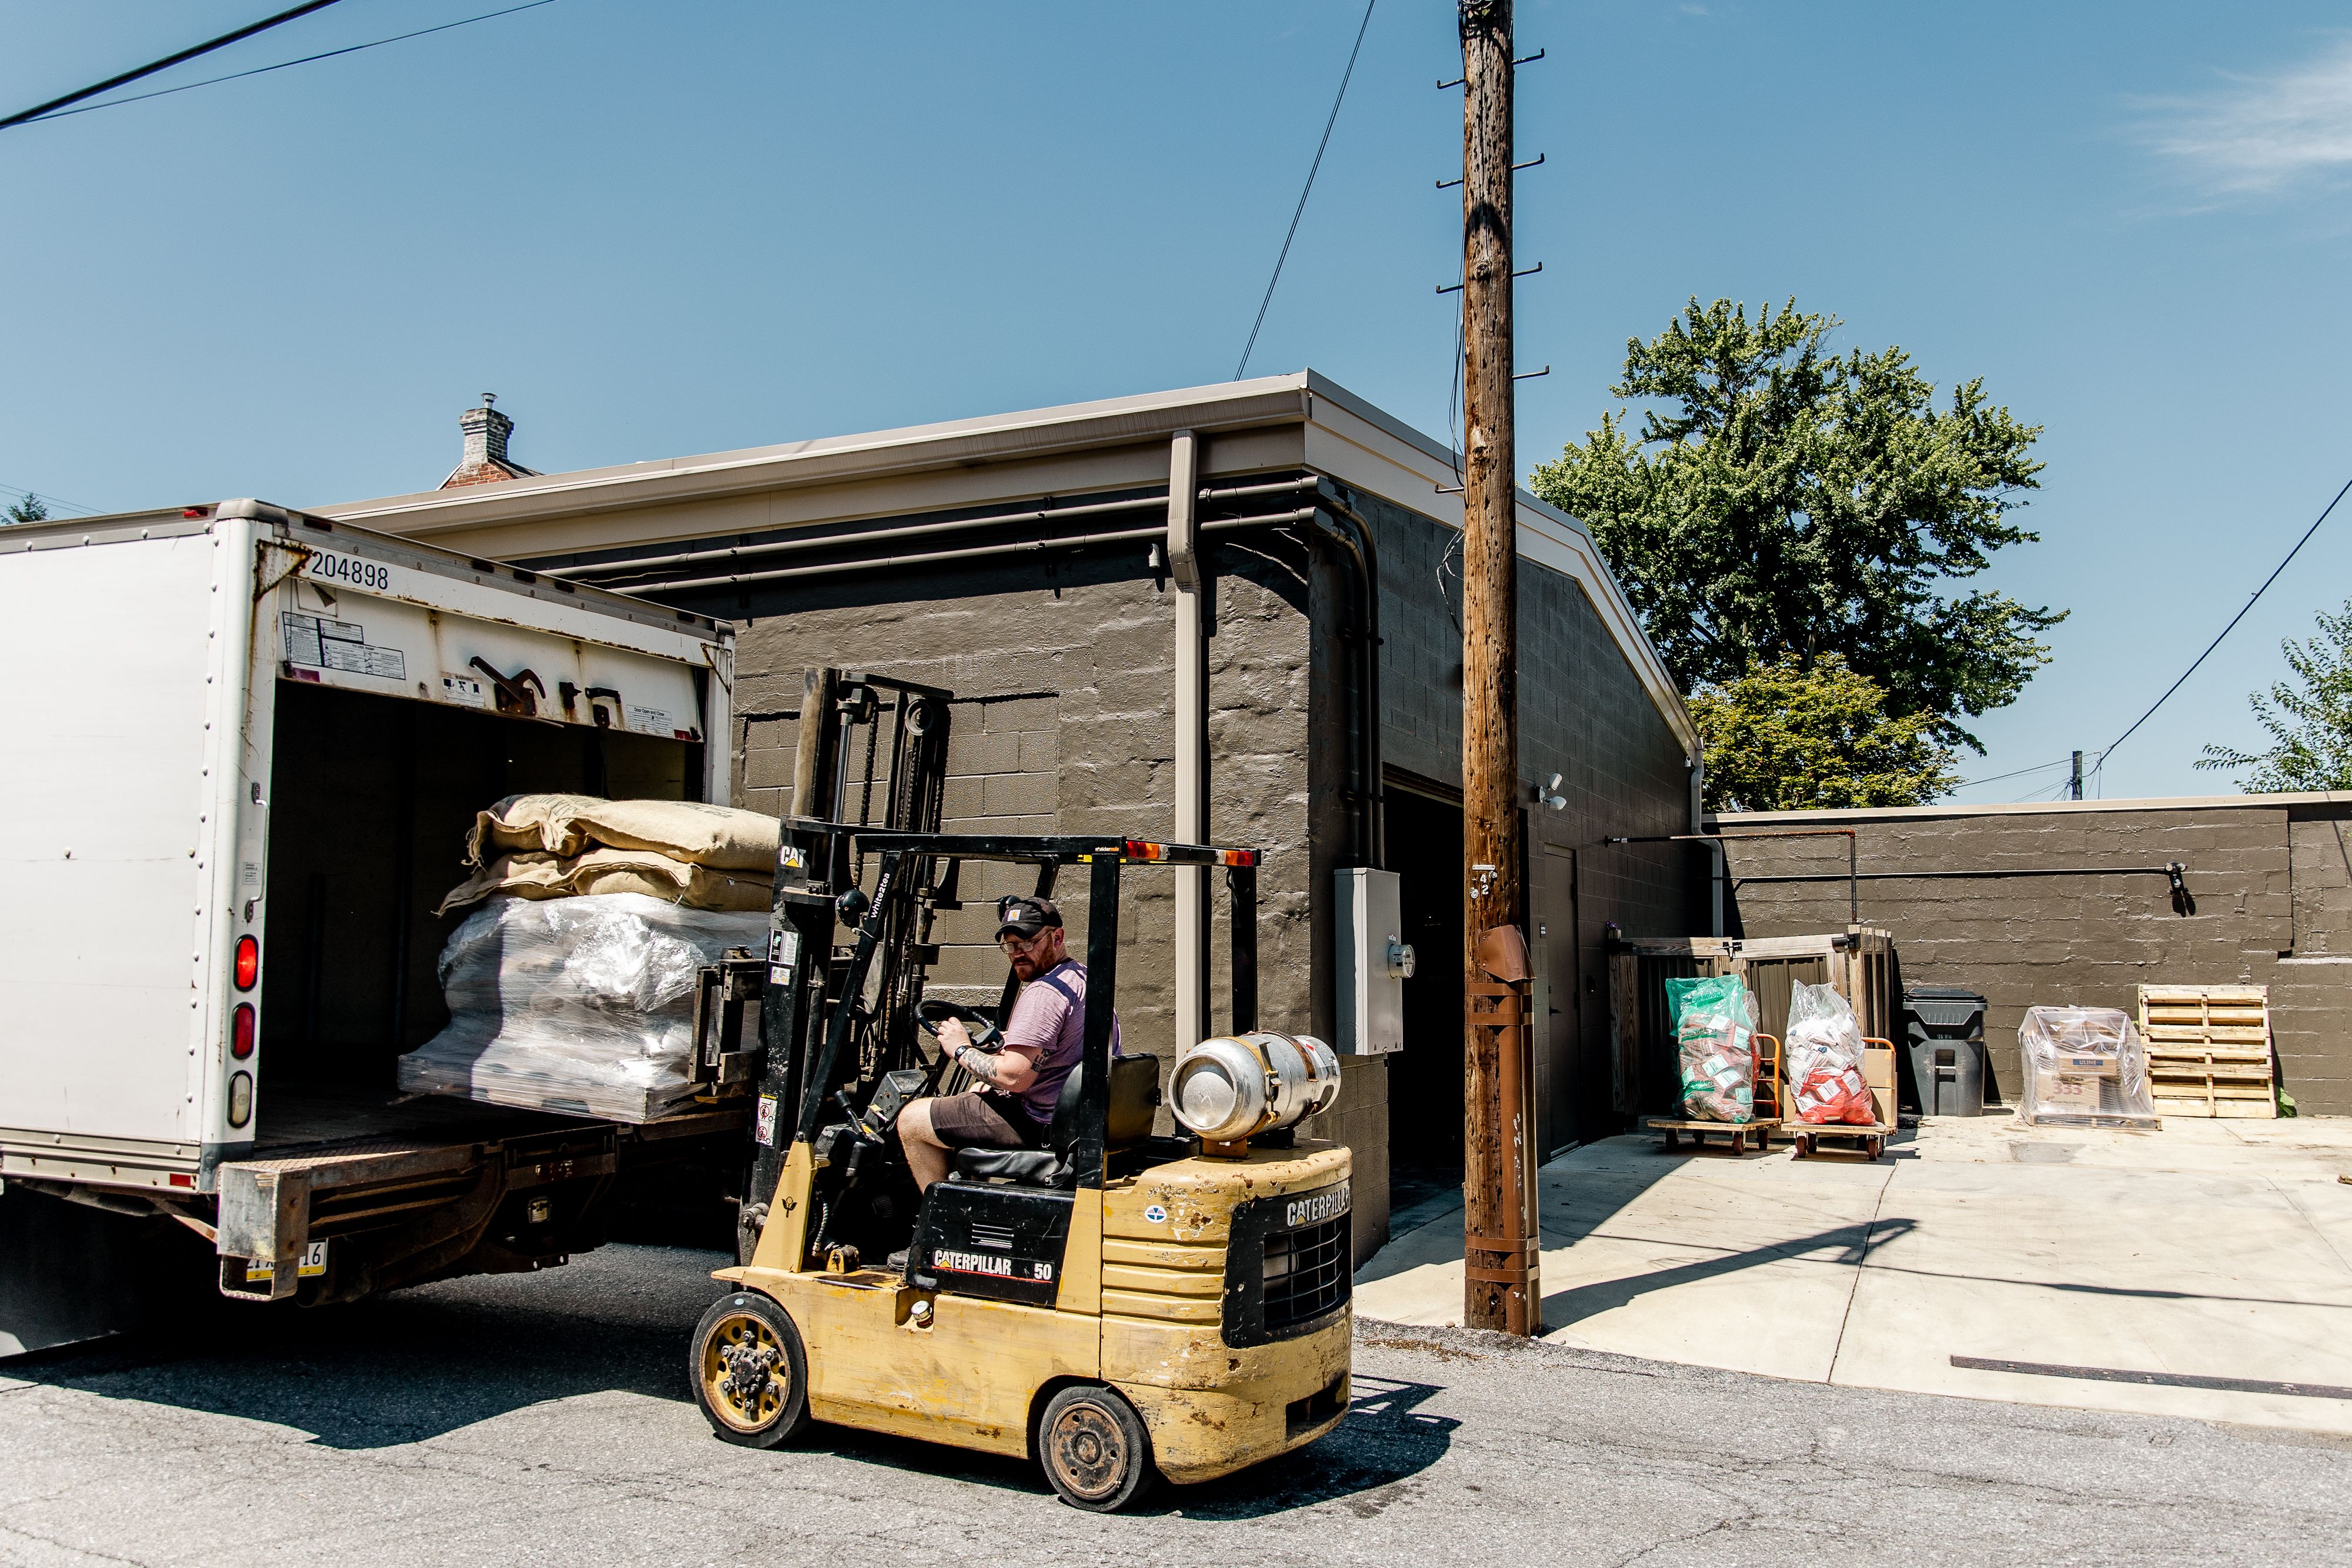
<point x="1064" y="723"/>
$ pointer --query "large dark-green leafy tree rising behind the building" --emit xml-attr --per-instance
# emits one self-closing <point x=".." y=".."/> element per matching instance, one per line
<point x="1789" y="502"/>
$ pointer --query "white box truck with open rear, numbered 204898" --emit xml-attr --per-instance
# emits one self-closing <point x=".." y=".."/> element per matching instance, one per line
<point x="243" y="751"/>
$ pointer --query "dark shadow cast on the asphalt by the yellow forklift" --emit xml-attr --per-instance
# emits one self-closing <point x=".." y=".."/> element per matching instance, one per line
<point x="1382" y="1442"/>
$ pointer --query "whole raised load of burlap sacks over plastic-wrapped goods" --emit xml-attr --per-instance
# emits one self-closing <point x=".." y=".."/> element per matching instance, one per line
<point x="573" y="986"/>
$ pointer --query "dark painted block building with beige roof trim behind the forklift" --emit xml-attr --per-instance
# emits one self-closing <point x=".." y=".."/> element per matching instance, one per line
<point x="1220" y="612"/>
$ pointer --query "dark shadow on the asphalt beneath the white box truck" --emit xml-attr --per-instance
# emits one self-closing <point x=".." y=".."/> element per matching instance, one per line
<point x="406" y="1367"/>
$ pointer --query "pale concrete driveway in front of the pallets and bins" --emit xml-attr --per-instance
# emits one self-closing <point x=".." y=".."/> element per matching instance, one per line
<point x="2205" y="1254"/>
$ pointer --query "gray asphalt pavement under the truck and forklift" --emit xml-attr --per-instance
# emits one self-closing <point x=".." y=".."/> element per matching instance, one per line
<point x="547" y="1421"/>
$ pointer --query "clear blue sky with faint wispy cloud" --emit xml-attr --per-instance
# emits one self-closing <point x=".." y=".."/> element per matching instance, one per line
<point x="667" y="229"/>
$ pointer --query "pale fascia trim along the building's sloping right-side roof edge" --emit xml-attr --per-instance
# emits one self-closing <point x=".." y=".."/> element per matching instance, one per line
<point x="1387" y="457"/>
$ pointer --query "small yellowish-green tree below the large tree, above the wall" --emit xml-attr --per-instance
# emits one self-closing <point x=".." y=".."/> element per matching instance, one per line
<point x="1793" y="737"/>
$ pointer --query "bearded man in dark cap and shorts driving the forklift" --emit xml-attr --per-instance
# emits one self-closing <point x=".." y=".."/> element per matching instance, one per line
<point x="1015" y="1087"/>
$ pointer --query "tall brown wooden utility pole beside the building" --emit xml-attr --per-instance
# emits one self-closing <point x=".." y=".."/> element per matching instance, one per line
<point x="1499" y="1221"/>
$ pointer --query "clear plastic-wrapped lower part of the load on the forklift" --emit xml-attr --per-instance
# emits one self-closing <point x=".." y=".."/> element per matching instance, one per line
<point x="575" y="1005"/>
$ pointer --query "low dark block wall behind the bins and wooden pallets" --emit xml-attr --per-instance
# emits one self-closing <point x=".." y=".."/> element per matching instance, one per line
<point x="2271" y="878"/>
